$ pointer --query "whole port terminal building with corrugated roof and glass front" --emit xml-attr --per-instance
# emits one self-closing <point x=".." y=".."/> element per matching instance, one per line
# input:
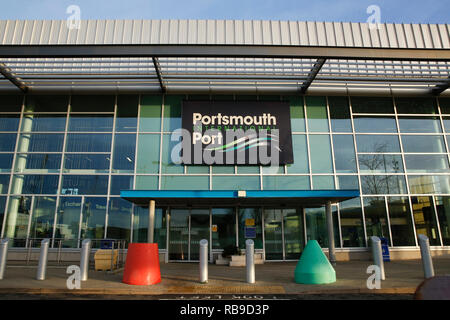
<point x="356" y="115"/>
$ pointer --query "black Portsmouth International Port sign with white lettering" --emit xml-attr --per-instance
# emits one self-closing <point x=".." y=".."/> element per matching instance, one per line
<point x="236" y="132"/>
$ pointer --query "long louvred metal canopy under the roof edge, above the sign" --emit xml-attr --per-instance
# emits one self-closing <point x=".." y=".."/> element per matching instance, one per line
<point x="215" y="68"/>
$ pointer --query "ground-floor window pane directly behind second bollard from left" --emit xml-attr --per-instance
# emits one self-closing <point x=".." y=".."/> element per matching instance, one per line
<point x="43" y="217"/>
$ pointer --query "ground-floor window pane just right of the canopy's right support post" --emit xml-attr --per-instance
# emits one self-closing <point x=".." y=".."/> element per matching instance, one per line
<point x="352" y="226"/>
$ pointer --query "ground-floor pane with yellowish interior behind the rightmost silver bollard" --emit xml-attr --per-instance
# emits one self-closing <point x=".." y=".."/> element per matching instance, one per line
<point x="425" y="219"/>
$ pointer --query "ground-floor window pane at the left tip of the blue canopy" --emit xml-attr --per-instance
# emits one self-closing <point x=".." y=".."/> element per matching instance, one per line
<point x="119" y="219"/>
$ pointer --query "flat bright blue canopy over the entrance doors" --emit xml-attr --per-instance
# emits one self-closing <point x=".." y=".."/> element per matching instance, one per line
<point x="310" y="198"/>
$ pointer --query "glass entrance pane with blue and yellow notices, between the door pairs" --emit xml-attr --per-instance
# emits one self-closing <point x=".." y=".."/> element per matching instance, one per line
<point x="250" y="226"/>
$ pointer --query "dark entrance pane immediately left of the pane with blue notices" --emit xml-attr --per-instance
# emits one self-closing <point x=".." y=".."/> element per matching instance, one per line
<point x="223" y="228"/>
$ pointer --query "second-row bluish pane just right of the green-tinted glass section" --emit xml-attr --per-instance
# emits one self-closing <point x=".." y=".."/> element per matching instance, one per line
<point x="344" y="153"/>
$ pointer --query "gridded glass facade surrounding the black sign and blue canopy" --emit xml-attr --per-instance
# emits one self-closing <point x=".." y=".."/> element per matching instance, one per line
<point x="64" y="160"/>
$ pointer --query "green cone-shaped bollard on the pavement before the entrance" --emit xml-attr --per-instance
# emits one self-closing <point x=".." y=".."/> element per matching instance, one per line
<point x="313" y="266"/>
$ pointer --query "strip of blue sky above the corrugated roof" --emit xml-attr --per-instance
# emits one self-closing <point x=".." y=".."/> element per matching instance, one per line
<point x="395" y="11"/>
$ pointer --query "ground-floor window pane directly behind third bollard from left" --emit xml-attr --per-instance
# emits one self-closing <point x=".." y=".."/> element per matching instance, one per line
<point x="94" y="215"/>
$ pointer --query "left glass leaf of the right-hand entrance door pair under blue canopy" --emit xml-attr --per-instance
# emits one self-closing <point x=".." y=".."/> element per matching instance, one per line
<point x="273" y="234"/>
